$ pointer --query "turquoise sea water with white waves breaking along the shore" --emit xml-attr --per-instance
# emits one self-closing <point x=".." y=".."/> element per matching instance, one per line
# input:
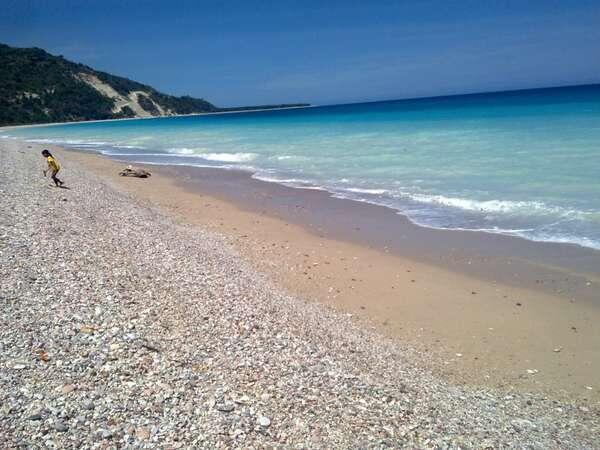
<point x="524" y="163"/>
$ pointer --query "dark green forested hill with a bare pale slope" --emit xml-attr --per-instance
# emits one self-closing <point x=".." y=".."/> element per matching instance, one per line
<point x="37" y="87"/>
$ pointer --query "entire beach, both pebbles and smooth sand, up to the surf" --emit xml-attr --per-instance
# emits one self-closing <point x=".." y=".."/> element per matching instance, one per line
<point x="181" y="312"/>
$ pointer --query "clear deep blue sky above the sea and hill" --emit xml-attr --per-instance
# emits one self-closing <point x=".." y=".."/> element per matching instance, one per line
<point x="256" y="52"/>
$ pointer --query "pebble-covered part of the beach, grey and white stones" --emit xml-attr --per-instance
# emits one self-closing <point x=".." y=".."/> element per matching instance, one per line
<point x="122" y="328"/>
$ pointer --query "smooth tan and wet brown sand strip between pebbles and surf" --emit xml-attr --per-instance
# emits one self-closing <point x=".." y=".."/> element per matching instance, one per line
<point x="446" y="293"/>
